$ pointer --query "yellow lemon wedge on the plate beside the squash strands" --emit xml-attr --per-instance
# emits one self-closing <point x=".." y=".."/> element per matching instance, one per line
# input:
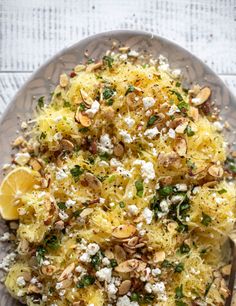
<point x="18" y="182"/>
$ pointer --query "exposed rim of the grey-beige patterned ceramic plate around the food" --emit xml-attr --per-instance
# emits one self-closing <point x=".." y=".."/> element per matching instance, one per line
<point x="46" y="78"/>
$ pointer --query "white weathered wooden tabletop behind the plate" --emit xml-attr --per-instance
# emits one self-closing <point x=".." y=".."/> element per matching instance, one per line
<point x="33" y="30"/>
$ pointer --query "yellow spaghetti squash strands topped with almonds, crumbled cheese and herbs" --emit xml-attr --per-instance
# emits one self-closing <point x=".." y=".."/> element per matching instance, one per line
<point x="133" y="205"/>
